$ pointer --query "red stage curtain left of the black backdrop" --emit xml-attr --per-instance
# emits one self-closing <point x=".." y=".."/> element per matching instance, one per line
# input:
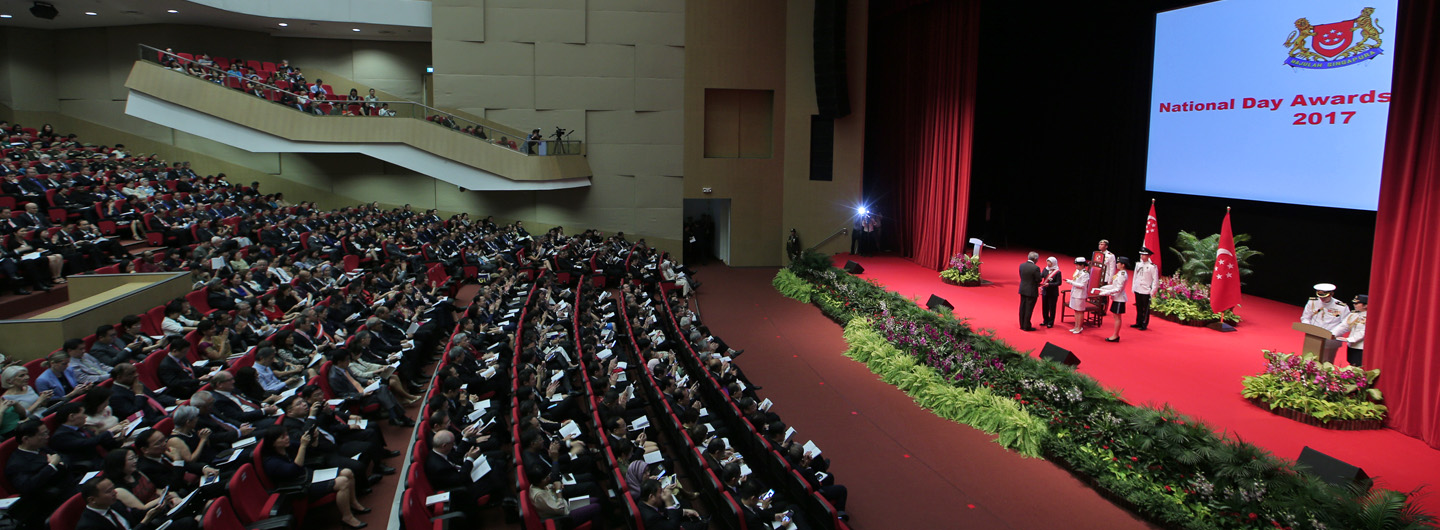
<point x="922" y="123"/>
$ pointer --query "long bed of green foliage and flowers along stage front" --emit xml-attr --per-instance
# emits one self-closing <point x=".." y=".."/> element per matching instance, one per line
<point x="1171" y="470"/>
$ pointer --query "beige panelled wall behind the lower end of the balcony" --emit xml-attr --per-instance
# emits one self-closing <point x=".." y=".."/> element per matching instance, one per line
<point x="610" y="70"/>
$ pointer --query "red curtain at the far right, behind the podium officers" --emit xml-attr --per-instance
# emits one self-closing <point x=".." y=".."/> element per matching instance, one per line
<point x="1403" y="331"/>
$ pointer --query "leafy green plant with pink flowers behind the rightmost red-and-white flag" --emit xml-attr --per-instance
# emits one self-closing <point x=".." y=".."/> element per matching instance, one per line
<point x="1184" y="297"/>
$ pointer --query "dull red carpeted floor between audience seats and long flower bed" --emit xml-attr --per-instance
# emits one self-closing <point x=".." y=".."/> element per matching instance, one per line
<point x="905" y="467"/>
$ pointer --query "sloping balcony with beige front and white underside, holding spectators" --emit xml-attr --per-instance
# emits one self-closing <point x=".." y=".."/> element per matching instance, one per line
<point x="269" y="119"/>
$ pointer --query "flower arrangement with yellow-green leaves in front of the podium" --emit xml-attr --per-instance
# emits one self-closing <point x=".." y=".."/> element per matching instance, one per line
<point x="1321" y="394"/>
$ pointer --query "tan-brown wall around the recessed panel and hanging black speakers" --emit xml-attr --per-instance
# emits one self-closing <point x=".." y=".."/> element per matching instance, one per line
<point x="768" y="45"/>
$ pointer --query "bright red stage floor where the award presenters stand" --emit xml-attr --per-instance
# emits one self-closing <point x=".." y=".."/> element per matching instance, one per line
<point x="1194" y="369"/>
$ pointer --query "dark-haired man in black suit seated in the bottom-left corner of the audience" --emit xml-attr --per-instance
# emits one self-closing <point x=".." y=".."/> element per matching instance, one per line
<point x="38" y="475"/>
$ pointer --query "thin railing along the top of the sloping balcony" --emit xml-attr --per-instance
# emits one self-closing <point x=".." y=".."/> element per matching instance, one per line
<point x="302" y="99"/>
